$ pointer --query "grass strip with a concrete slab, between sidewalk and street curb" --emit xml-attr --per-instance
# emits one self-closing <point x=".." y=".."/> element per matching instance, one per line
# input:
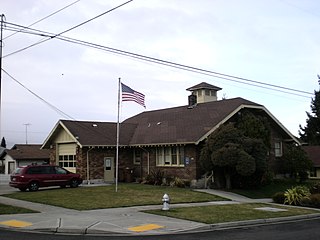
<point x="229" y="213"/>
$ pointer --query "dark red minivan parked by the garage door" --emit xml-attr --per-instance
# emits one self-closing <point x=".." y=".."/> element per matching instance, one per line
<point x="34" y="176"/>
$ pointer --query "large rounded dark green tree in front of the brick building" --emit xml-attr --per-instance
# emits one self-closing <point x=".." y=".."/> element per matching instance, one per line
<point x="229" y="153"/>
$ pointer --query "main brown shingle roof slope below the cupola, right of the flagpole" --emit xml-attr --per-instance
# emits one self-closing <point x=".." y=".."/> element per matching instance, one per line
<point x="182" y="124"/>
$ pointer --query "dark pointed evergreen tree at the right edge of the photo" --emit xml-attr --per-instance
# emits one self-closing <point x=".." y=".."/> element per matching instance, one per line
<point x="311" y="132"/>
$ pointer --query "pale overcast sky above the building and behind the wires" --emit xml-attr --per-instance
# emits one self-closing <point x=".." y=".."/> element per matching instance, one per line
<point x="270" y="41"/>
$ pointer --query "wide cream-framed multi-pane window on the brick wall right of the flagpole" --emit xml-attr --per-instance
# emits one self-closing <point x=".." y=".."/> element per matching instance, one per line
<point x="170" y="156"/>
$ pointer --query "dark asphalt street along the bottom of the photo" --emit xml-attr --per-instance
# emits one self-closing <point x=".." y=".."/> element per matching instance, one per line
<point x="302" y="230"/>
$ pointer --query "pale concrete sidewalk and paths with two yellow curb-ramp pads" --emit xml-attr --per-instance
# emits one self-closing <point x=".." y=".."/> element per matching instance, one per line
<point x="114" y="221"/>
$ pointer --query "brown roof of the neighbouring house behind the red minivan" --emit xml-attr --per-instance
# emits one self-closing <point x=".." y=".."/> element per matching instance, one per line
<point x="28" y="152"/>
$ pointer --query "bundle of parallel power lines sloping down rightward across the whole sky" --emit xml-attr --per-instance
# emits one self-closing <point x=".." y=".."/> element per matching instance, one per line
<point x="241" y="80"/>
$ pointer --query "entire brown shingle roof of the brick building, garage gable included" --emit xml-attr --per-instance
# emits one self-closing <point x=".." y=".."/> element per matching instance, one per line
<point x="178" y="125"/>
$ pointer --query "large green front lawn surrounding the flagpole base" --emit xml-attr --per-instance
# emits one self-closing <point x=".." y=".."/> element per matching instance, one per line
<point x="86" y="198"/>
